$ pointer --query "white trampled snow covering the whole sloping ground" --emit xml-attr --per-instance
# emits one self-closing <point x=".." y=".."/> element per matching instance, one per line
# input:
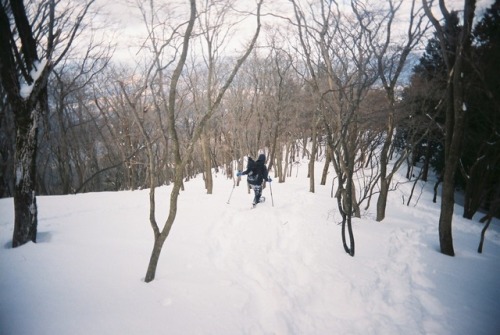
<point x="227" y="269"/>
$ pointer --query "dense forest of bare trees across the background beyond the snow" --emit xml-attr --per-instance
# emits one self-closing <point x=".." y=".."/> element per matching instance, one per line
<point x="347" y="81"/>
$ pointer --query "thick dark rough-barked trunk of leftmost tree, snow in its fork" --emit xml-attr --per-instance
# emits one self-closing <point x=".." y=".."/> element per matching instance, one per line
<point x="26" y="107"/>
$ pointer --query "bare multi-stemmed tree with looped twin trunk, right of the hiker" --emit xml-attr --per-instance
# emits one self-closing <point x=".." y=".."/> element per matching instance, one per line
<point x="339" y="68"/>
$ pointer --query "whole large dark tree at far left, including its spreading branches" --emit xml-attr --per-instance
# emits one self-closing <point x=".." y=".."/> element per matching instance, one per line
<point x="29" y="37"/>
